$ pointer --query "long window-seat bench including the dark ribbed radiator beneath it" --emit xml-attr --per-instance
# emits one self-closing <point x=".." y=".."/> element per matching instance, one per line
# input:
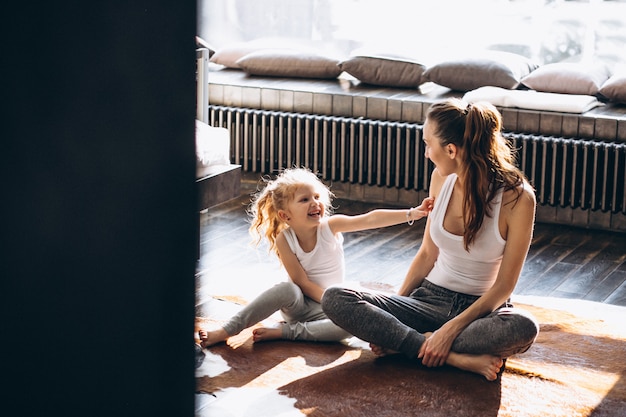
<point x="365" y="140"/>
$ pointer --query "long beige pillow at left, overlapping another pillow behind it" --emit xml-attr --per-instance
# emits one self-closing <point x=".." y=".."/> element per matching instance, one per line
<point x="289" y="63"/>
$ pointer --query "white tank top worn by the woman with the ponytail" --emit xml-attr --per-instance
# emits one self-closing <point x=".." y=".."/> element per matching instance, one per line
<point x="469" y="272"/>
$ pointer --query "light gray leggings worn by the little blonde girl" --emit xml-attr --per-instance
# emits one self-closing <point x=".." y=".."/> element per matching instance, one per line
<point x="304" y="318"/>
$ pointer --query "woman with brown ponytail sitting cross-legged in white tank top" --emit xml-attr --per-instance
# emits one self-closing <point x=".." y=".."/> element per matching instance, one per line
<point x="453" y="306"/>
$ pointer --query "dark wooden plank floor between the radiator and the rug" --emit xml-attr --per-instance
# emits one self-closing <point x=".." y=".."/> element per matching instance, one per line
<point x="563" y="262"/>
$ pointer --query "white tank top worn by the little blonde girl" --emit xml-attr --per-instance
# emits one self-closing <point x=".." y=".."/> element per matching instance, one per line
<point x="325" y="264"/>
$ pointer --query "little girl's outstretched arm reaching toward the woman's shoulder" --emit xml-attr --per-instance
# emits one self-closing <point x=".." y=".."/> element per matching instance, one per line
<point x="379" y="218"/>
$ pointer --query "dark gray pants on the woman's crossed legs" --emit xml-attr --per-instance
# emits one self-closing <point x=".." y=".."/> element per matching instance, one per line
<point x="398" y="323"/>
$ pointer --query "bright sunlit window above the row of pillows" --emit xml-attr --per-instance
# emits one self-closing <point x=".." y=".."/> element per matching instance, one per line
<point x="545" y="30"/>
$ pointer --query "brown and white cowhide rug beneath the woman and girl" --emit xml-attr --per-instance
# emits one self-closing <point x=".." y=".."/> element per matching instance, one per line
<point x="577" y="367"/>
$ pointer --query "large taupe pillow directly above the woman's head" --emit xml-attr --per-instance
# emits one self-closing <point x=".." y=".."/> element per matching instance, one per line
<point x="486" y="68"/>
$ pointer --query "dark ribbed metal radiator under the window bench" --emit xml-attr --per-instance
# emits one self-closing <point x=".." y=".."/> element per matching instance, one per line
<point x="574" y="173"/>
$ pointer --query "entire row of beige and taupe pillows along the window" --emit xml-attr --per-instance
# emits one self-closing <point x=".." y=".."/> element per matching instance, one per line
<point x="488" y="68"/>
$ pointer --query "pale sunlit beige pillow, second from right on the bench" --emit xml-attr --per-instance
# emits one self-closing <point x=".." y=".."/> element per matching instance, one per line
<point x="567" y="78"/>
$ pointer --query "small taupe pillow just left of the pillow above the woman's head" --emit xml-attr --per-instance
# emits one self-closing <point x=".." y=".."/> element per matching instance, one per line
<point x="384" y="70"/>
